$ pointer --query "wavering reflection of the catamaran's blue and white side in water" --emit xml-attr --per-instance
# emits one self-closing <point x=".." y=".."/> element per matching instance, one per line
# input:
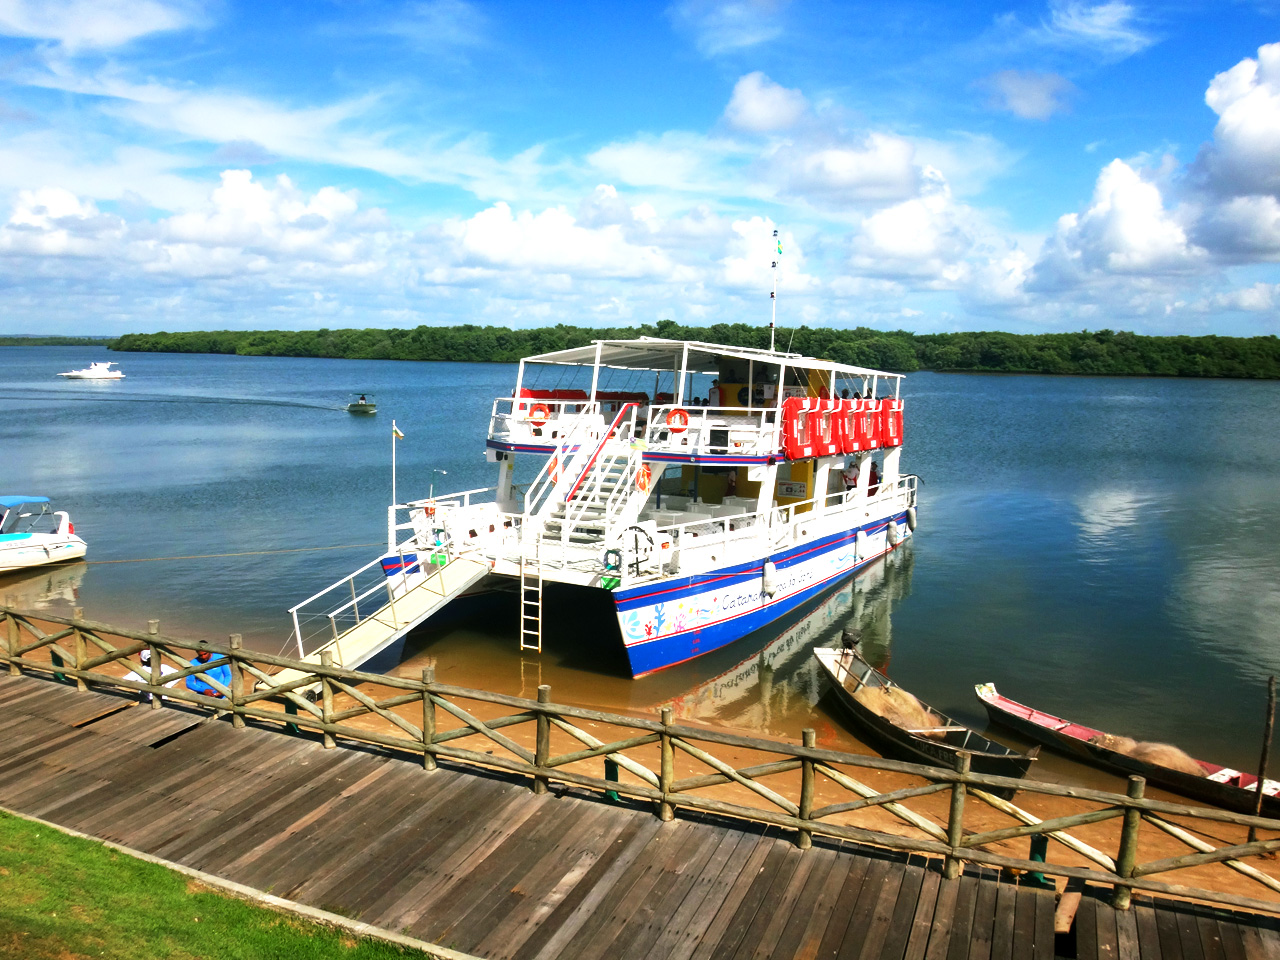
<point x="783" y="674"/>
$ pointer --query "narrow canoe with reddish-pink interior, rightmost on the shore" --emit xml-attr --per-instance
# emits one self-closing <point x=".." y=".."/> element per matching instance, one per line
<point x="1218" y="785"/>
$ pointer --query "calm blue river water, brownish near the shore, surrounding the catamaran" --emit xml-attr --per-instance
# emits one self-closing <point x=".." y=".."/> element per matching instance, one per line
<point x="1107" y="550"/>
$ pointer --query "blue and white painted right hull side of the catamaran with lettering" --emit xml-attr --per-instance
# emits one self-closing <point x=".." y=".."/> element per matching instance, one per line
<point x="676" y="620"/>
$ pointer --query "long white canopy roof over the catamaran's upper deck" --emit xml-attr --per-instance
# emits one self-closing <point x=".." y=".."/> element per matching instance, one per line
<point x="659" y="354"/>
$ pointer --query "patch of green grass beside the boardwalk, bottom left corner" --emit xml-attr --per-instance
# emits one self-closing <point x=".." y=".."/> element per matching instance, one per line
<point x="65" y="898"/>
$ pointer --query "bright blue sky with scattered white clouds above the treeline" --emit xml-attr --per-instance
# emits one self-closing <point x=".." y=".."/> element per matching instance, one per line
<point x="1030" y="167"/>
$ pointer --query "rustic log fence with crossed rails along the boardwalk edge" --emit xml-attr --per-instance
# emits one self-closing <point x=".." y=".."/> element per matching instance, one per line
<point x="428" y="719"/>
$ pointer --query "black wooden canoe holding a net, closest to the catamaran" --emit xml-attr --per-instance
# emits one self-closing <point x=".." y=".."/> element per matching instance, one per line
<point x="909" y="730"/>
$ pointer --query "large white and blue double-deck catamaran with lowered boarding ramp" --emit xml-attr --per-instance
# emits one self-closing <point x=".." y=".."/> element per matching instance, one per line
<point x="707" y="491"/>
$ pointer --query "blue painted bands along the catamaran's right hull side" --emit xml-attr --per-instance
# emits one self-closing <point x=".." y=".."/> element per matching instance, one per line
<point x="666" y="651"/>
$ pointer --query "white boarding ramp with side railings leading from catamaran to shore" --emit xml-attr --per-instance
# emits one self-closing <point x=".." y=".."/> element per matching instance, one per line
<point x="369" y="610"/>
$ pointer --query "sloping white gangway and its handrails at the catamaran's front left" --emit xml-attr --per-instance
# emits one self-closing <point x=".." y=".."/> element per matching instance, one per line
<point x="413" y="596"/>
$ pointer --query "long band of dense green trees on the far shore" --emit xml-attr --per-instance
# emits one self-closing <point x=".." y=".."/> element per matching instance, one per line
<point x="1099" y="353"/>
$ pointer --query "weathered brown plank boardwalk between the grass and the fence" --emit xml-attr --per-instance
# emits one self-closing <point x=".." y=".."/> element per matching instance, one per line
<point x="481" y="865"/>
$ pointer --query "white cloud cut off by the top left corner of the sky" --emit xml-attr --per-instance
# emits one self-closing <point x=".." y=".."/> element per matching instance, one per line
<point x="79" y="25"/>
